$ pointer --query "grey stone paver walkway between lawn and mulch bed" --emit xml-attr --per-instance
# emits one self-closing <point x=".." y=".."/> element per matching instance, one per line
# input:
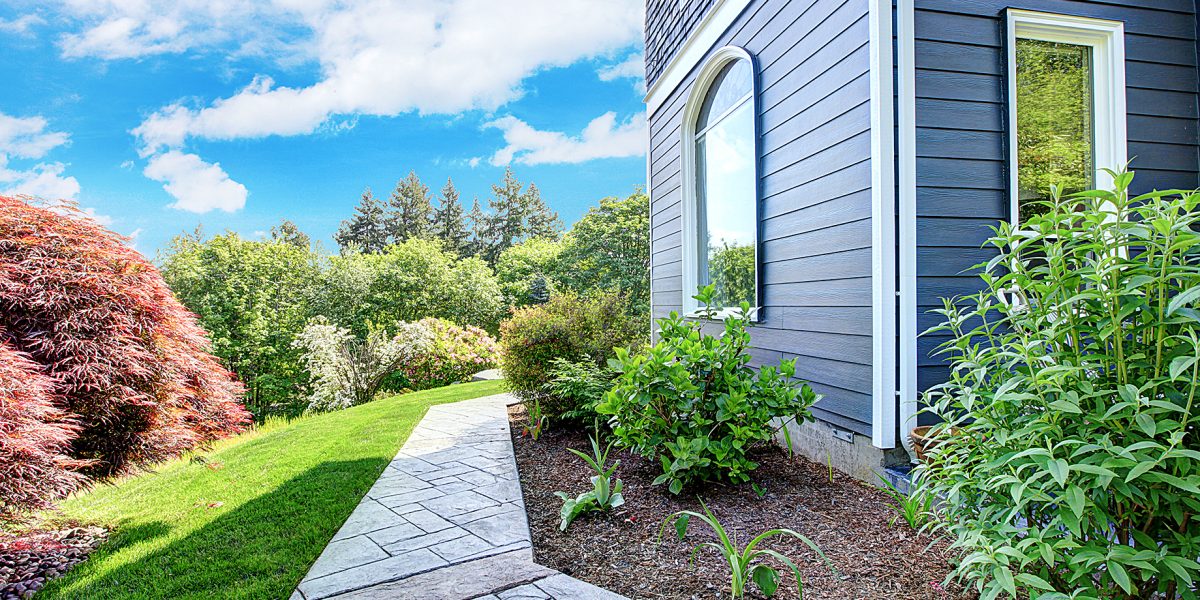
<point x="445" y="521"/>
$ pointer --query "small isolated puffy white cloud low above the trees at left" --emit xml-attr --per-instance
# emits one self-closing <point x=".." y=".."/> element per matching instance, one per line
<point x="196" y="185"/>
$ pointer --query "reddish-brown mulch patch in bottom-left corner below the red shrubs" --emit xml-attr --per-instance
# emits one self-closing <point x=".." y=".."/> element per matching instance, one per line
<point x="29" y="560"/>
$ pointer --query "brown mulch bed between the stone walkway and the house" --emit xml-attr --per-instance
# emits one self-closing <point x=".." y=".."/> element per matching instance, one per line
<point x="621" y="553"/>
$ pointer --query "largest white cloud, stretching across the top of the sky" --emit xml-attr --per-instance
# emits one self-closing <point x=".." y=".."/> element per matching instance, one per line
<point x="379" y="58"/>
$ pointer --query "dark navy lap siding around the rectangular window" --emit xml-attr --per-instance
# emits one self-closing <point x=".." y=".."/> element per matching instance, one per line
<point x="962" y="137"/>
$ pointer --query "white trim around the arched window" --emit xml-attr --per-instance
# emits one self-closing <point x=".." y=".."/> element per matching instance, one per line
<point x="688" y="208"/>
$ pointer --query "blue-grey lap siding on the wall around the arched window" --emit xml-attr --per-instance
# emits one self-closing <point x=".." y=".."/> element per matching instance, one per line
<point x="817" y="203"/>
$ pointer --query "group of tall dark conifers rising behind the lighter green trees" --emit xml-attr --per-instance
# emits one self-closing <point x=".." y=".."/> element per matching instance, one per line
<point x="515" y="213"/>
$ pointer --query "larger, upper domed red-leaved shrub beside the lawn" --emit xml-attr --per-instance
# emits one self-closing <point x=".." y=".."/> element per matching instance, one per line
<point x="127" y="358"/>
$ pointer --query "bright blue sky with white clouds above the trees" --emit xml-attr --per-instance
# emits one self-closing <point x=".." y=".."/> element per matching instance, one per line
<point x="159" y="117"/>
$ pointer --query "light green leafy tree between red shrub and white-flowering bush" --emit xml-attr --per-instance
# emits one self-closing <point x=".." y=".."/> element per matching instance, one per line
<point x="254" y="298"/>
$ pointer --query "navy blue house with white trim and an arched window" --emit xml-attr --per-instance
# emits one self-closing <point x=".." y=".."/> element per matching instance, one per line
<point x="838" y="165"/>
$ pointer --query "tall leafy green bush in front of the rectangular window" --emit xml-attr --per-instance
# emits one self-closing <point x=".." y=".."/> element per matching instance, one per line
<point x="1069" y="457"/>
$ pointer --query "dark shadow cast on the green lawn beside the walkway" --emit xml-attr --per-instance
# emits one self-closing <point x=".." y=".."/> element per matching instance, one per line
<point x="260" y="549"/>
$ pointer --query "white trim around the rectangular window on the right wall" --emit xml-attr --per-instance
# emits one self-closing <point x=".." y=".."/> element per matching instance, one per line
<point x="1107" y="40"/>
